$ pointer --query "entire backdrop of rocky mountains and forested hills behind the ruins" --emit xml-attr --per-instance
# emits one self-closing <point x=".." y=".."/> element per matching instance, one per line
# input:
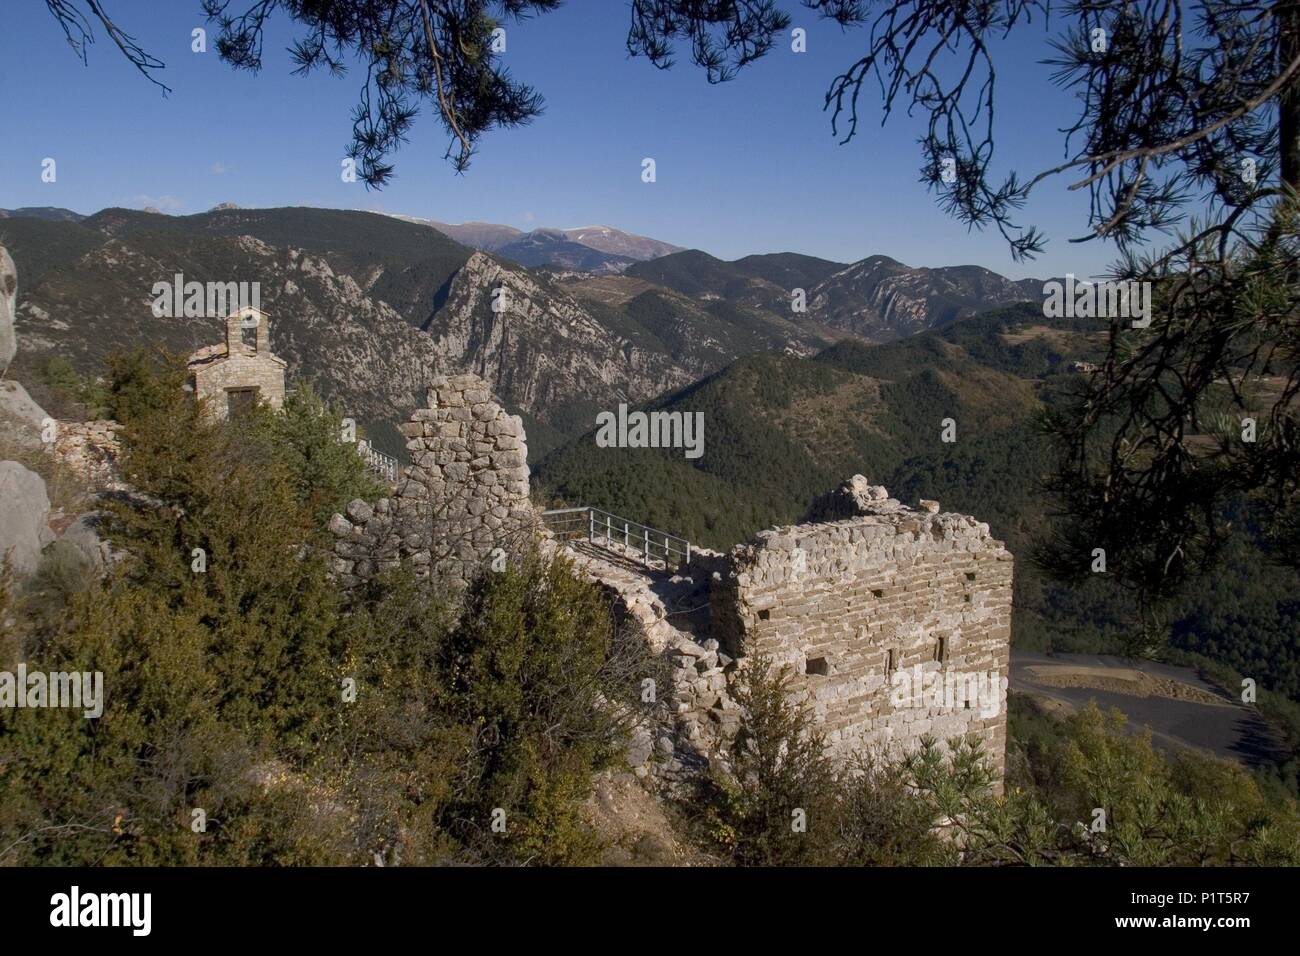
<point x="369" y="308"/>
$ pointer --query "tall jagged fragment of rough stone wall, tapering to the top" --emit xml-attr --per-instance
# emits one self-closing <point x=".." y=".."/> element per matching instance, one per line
<point x="463" y="496"/>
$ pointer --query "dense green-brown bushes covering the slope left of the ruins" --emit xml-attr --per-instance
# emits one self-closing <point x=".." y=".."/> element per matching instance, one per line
<point x="229" y="690"/>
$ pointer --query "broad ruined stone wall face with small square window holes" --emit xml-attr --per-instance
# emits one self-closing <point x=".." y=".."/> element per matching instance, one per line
<point x="896" y="622"/>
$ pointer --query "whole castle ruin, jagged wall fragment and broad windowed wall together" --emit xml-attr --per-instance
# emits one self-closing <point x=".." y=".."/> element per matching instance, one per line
<point x="864" y="600"/>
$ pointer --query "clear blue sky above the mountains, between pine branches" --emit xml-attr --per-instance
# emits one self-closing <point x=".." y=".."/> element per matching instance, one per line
<point x="744" y="167"/>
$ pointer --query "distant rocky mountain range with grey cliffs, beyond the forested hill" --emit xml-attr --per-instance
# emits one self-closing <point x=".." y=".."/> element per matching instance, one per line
<point x="369" y="306"/>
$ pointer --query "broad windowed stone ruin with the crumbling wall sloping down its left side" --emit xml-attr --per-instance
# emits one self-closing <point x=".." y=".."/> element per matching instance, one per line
<point x="865" y="599"/>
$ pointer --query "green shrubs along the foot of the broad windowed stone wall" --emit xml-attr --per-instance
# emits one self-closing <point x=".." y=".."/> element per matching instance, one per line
<point x="1080" y="791"/>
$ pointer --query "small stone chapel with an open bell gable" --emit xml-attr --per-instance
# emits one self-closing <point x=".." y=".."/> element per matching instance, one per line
<point x="241" y="371"/>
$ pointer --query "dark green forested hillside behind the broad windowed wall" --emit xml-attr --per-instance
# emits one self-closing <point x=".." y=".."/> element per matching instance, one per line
<point x="781" y="430"/>
